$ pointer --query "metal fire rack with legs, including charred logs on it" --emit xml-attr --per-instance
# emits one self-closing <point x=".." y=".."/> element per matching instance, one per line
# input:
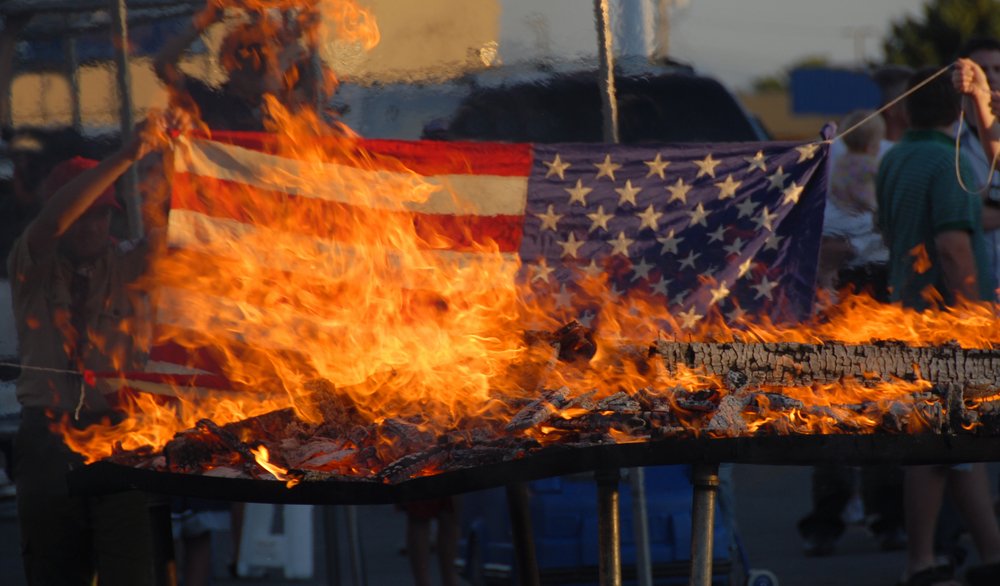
<point x="957" y="420"/>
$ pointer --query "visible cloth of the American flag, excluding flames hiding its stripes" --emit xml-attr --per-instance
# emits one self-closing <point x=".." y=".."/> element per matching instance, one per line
<point x="731" y="228"/>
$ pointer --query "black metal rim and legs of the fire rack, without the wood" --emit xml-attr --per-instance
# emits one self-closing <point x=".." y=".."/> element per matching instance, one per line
<point x="605" y="461"/>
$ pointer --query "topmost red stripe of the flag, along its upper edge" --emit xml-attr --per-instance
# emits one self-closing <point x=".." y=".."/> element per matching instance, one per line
<point x="426" y="157"/>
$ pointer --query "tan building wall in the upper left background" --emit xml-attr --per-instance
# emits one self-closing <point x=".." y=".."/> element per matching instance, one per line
<point x="430" y="40"/>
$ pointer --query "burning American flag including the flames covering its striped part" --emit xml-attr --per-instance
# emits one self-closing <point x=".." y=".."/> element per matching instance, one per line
<point x="405" y="274"/>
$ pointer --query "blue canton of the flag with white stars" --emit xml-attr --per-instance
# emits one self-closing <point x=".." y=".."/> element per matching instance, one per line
<point x="732" y="227"/>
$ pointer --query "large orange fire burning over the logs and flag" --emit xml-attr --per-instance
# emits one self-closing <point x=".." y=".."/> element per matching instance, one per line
<point x="376" y="321"/>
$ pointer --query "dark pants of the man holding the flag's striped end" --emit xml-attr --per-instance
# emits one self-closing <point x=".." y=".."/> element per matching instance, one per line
<point x="66" y="540"/>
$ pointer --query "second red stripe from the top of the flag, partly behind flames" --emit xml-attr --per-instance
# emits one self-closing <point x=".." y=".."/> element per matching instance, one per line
<point x="230" y="200"/>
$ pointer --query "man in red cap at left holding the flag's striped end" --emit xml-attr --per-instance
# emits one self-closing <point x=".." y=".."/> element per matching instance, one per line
<point x="75" y="314"/>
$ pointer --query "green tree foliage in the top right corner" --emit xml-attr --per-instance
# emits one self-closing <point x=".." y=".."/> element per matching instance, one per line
<point x="934" y="36"/>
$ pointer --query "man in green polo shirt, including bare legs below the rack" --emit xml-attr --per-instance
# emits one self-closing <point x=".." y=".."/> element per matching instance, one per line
<point x="937" y="254"/>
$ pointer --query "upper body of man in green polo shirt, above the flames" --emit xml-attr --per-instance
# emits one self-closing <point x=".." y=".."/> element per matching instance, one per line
<point x="933" y="226"/>
